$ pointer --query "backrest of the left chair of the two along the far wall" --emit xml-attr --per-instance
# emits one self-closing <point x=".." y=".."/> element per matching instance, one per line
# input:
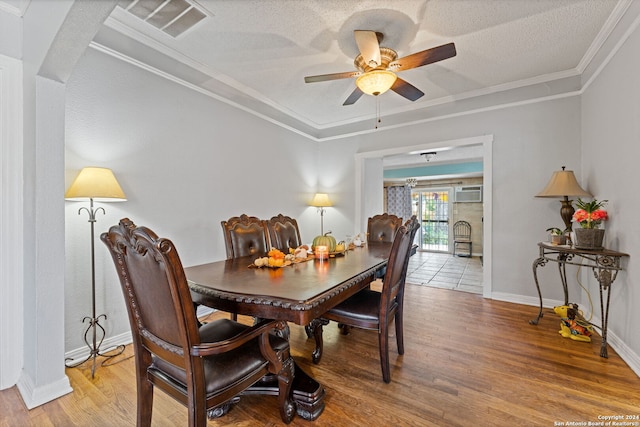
<point x="244" y="235"/>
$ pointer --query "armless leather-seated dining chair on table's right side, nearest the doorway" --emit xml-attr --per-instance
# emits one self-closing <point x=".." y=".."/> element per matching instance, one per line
<point x="373" y="310"/>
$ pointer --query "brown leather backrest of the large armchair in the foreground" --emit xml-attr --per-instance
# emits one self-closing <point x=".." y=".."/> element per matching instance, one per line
<point x="159" y="304"/>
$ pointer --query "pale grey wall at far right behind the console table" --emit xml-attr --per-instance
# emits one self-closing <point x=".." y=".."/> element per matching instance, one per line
<point x="610" y="152"/>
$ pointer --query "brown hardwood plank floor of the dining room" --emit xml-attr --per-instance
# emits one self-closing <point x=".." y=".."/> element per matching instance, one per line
<point x="468" y="362"/>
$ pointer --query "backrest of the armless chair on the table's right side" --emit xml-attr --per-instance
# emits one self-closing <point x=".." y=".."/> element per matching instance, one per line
<point x="394" y="278"/>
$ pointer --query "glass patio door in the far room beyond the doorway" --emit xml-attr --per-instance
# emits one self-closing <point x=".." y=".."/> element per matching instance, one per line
<point x="433" y="210"/>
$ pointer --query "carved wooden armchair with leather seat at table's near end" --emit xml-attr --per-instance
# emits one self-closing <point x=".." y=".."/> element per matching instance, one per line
<point x="204" y="368"/>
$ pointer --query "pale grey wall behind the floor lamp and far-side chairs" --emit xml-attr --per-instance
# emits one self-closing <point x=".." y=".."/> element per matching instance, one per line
<point x="185" y="162"/>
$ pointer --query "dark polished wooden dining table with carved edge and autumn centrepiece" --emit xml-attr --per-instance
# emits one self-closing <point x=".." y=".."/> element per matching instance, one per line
<point x="299" y="293"/>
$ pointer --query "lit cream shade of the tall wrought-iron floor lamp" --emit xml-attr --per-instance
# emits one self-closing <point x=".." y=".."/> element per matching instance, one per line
<point x="95" y="183"/>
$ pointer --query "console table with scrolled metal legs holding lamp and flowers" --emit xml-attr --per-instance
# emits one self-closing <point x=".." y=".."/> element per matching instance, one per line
<point x="604" y="263"/>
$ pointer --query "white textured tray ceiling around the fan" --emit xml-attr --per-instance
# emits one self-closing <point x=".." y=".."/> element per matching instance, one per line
<point x="255" y="54"/>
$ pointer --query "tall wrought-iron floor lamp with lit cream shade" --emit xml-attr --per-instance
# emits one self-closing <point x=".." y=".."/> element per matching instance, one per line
<point x="94" y="184"/>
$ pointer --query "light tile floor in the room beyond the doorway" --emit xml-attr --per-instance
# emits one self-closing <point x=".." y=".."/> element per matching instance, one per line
<point x="445" y="271"/>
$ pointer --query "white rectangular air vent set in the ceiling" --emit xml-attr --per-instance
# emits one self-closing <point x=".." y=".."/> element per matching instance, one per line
<point x="173" y="17"/>
